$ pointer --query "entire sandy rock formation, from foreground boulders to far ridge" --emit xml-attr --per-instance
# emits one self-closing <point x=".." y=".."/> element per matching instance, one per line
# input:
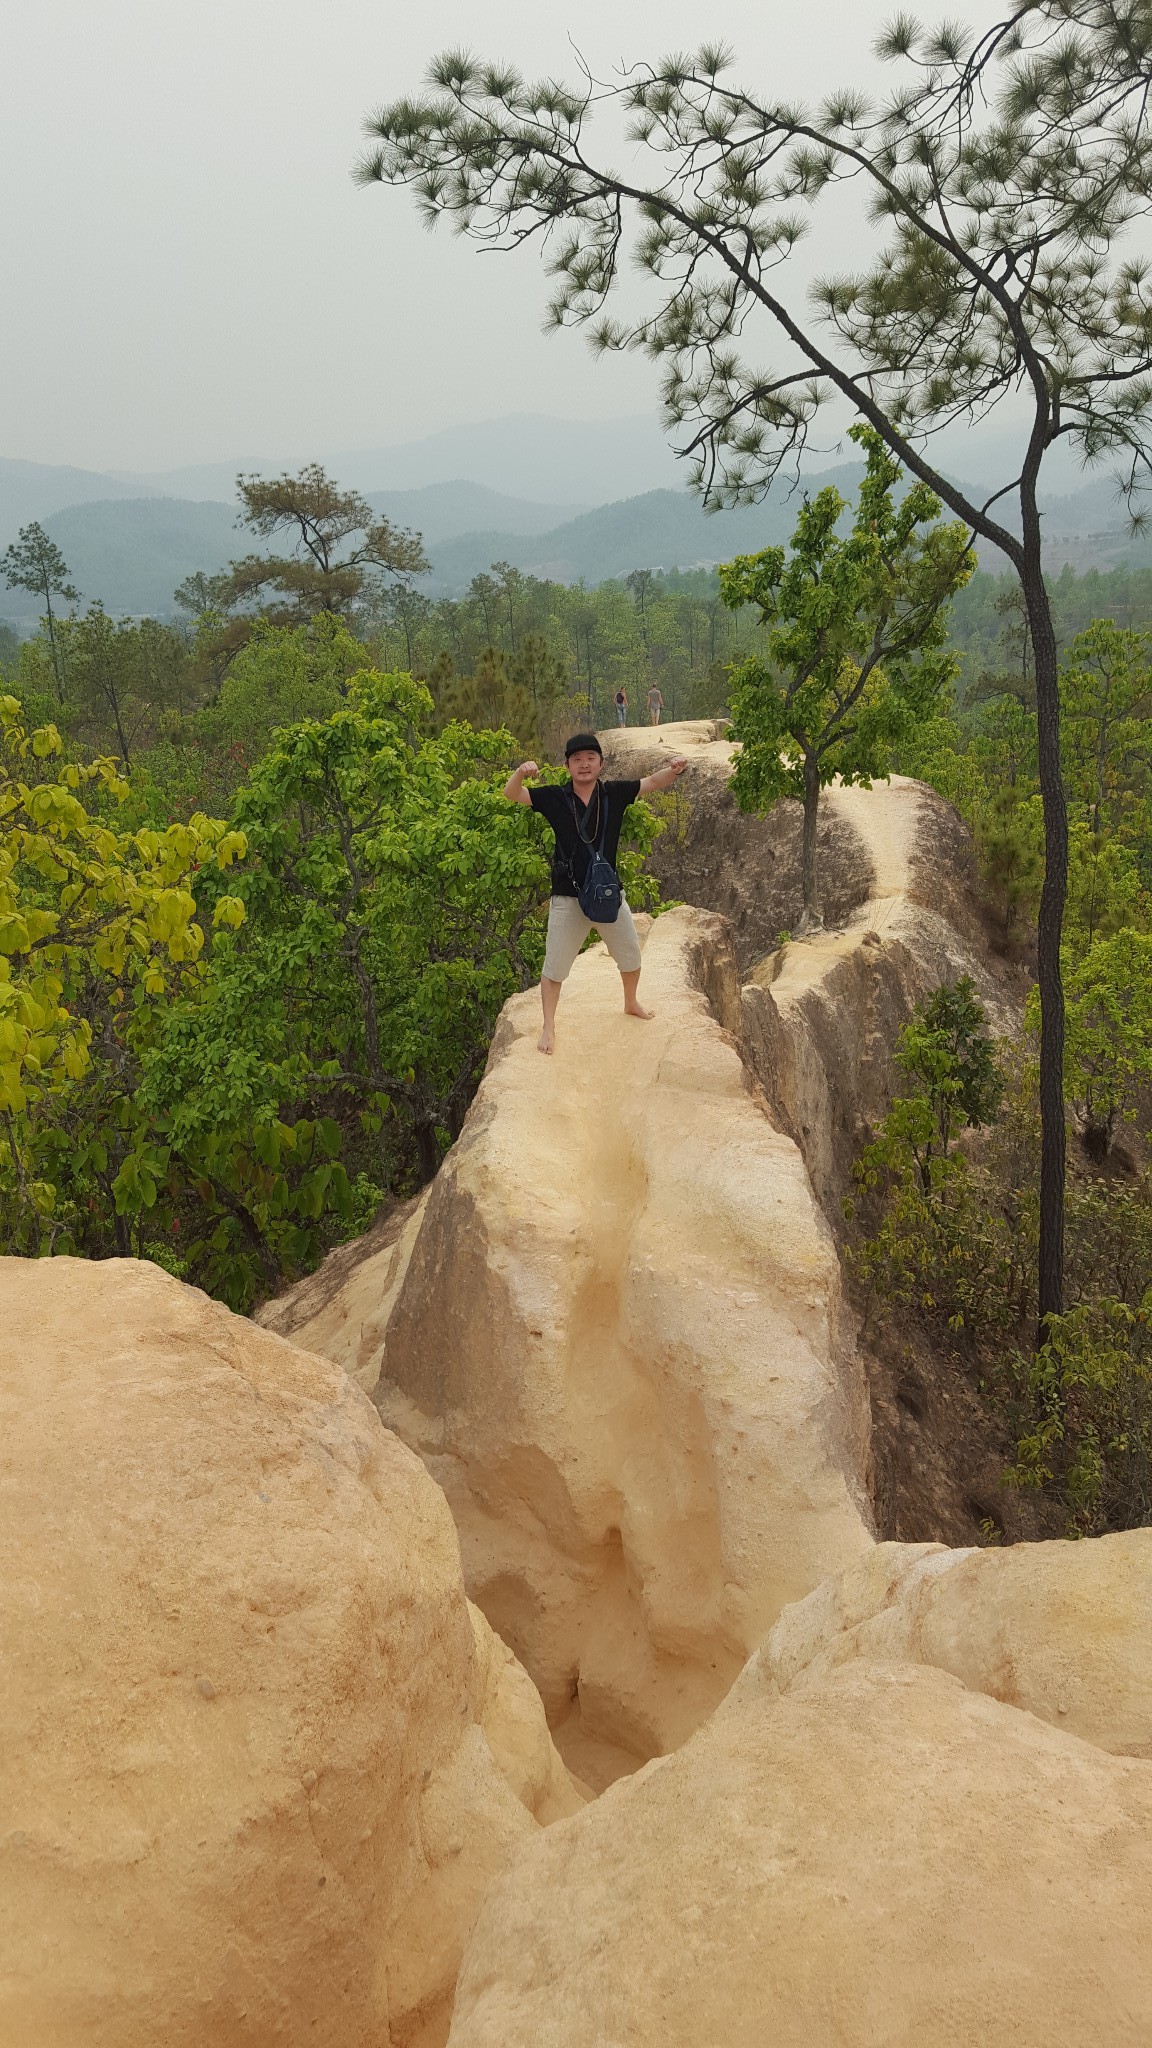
<point x="270" y="1773"/>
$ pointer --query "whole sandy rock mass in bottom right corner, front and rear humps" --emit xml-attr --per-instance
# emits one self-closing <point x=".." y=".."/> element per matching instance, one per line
<point x="921" y="1816"/>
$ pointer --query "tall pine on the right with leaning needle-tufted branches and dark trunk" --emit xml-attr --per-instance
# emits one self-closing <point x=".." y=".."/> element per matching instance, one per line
<point x="1003" y="183"/>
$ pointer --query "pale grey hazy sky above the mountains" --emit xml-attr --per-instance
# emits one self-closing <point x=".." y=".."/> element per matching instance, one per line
<point x="192" y="275"/>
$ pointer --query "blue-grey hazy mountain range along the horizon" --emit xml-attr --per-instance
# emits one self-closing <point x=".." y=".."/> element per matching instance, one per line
<point x="559" y="499"/>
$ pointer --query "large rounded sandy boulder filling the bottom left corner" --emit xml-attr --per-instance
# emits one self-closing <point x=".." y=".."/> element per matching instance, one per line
<point x="245" y="1785"/>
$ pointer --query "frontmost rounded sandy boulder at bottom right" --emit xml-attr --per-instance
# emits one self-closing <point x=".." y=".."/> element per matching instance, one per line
<point x="884" y="1861"/>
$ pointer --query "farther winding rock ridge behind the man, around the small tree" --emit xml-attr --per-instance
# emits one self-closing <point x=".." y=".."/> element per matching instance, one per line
<point x="901" y="912"/>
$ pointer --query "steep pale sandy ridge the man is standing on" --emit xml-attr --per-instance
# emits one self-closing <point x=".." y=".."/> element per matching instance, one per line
<point x="618" y="1347"/>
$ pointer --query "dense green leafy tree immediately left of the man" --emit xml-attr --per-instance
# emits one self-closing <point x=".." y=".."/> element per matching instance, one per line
<point x="395" y="902"/>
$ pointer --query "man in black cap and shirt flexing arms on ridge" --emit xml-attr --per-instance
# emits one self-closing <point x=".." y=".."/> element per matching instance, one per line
<point x="585" y="812"/>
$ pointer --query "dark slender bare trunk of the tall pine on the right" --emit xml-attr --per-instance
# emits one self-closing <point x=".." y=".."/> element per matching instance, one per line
<point x="1051" y="1277"/>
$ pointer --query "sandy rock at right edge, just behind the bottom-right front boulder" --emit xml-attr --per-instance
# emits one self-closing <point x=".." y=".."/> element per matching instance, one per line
<point x="1063" y="1629"/>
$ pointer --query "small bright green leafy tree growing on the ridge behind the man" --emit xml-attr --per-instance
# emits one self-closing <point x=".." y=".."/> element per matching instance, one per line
<point x="856" y="644"/>
